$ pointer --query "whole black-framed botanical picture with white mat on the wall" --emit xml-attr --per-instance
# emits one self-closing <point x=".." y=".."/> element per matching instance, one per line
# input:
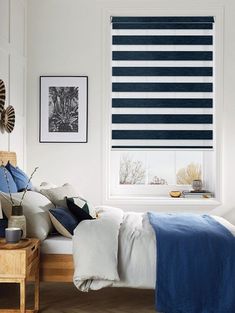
<point x="63" y="108"/>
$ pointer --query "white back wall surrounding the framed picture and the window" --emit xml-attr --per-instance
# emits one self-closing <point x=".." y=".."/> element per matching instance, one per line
<point x="65" y="37"/>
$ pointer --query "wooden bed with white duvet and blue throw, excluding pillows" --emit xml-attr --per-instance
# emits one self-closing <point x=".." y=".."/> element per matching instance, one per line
<point x="119" y="249"/>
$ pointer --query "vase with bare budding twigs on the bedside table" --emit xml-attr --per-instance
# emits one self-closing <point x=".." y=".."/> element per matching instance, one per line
<point x="17" y="219"/>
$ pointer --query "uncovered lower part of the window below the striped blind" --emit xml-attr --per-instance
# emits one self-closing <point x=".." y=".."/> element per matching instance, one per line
<point x="156" y="173"/>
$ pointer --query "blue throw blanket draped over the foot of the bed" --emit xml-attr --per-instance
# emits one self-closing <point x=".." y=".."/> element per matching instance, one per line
<point x="195" y="264"/>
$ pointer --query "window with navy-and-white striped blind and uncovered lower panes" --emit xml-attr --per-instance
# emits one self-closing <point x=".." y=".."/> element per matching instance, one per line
<point x="162" y="104"/>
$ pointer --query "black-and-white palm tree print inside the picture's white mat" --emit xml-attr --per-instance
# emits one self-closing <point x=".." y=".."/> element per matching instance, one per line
<point x="63" y="109"/>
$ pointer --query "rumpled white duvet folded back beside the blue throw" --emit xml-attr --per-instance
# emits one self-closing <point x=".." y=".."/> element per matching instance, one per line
<point x="117" y="249"/>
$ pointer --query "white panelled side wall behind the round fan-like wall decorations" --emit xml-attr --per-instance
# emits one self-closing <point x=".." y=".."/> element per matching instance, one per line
<point x="13" y="72"/>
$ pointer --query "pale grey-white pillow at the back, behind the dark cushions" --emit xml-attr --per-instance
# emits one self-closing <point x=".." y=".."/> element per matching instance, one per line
<point x="58" y="195"/>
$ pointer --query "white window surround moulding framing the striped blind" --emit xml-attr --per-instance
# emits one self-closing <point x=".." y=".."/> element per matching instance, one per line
<point x="110" y="199"/>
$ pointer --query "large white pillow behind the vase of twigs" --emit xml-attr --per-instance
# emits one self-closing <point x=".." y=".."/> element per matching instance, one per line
<point x="35" y="209"/>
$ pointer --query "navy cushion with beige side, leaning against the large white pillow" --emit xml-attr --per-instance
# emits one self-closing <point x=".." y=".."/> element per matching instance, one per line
<point x="63" y="221"/>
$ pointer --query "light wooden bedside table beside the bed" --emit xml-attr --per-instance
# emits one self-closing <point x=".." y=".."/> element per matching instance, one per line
<point x="18" y="266"/>
